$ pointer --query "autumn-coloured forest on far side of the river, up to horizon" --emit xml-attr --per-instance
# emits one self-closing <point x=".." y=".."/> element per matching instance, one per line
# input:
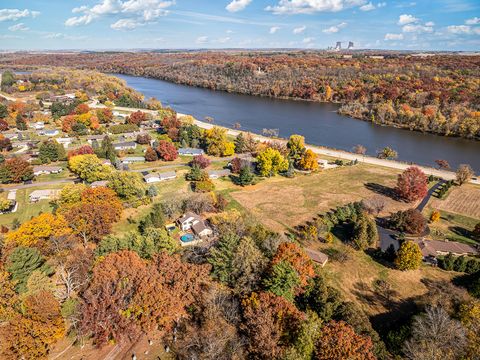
<point x="437" y="94"/>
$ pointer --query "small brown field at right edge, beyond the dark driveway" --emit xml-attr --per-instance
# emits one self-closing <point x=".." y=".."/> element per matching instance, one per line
<point x="464" y="200"/>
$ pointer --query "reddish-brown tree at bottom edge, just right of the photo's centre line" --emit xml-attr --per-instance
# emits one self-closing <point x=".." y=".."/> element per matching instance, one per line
<point x="269" y="320"/>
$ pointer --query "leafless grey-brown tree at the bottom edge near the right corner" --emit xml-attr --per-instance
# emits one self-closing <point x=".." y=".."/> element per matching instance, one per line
<point x="435" y="336"/>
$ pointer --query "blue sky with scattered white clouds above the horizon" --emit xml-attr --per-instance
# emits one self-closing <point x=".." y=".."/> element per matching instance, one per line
<point x="129" y="24"/>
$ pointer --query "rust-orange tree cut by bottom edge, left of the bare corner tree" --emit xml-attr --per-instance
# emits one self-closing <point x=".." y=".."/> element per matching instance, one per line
<point x="339" y="341"/>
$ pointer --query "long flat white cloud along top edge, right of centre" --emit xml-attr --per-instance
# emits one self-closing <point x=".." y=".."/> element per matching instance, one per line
<point x="312" y="6"/>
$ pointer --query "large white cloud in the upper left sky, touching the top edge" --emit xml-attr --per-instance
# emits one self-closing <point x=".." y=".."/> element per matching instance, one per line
<point x="137" y="12"/>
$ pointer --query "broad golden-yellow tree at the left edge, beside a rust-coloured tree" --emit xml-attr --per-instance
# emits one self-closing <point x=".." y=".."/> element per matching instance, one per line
<point x="38" y="230"/>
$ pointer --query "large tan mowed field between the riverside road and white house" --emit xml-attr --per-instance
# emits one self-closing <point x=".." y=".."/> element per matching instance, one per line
<point x="282" y="203"/>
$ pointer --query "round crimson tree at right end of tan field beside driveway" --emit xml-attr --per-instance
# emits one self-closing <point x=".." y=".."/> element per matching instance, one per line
<point x="412" y="184"/>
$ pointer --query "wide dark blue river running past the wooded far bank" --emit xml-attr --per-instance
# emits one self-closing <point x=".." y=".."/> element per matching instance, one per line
<point x="318" y="122"/>
